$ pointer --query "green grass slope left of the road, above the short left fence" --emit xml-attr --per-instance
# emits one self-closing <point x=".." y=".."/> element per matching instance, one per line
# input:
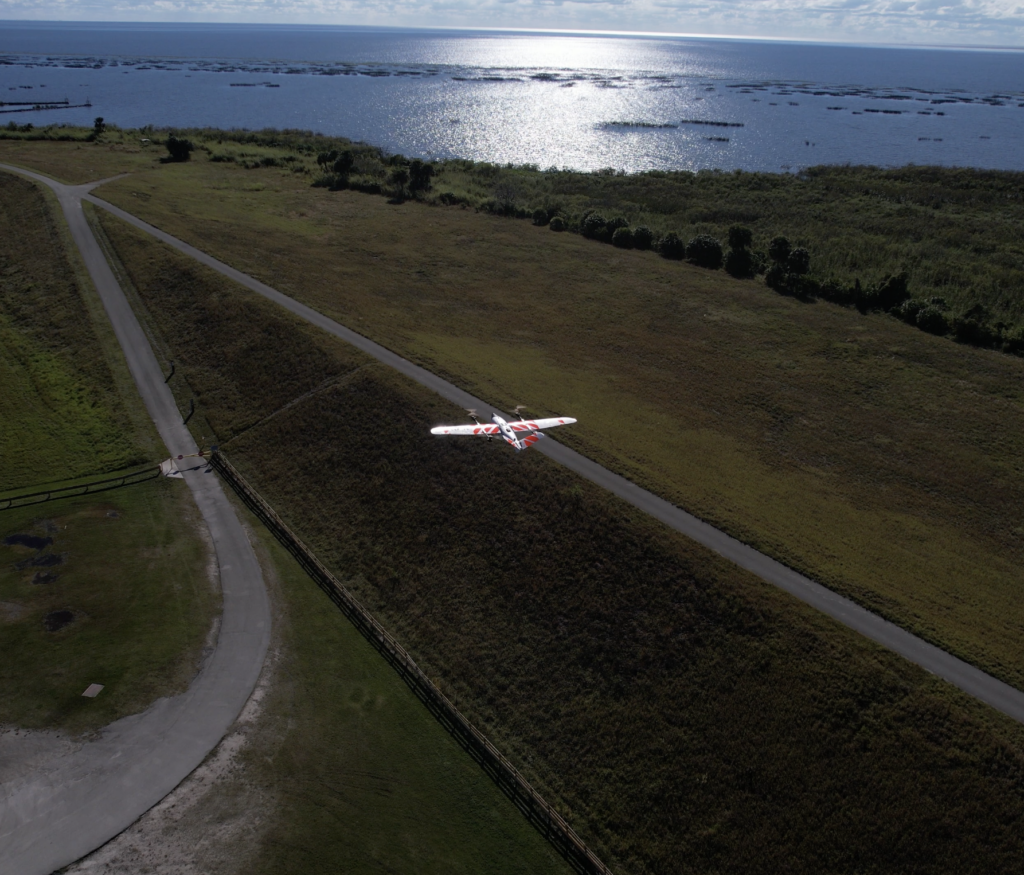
<point x="63" y="408"/>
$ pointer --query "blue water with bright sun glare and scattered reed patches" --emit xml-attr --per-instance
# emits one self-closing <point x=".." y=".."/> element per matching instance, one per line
<point x="580" y="102"/>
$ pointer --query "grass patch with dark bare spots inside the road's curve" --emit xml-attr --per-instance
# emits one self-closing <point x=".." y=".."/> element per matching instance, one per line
<point x="134" y="573"/>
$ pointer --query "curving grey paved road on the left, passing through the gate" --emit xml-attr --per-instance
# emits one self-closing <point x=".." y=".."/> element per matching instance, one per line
<point x="59" y="814"/>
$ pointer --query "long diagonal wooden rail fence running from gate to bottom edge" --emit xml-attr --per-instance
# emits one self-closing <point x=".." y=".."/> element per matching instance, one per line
<point x="505" y="775"/>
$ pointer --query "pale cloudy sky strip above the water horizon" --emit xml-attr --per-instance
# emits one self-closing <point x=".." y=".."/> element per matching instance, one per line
<point x="969" y="23"/>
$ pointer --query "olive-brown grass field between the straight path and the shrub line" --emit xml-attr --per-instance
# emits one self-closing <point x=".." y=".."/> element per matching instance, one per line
<point x="881" y="461"/>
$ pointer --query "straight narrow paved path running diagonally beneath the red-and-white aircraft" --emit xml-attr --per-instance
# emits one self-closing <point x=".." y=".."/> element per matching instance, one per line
<point x="972" y="681"/>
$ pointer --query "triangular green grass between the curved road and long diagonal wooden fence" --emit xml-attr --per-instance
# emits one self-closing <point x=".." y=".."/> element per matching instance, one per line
<point x="362" y="778"/>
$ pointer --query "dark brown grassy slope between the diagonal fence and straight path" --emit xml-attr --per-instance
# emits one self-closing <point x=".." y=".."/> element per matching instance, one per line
<point x="687" y="717"/>
